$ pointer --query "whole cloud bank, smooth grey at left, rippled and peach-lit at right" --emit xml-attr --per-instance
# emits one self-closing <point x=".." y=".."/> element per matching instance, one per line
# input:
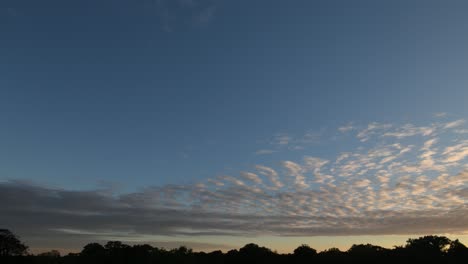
<point x="388" y="184"/>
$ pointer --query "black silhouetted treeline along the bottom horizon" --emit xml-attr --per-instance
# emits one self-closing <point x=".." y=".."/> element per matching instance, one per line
<point x="427" y="249"/>
